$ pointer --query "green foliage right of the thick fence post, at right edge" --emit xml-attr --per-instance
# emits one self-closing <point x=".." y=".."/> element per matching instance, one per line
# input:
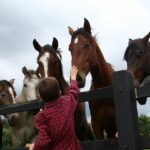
<point x="144" y="125"/>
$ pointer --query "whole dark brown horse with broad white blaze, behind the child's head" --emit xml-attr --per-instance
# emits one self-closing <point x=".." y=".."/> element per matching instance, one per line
<point x="49" y="61"/>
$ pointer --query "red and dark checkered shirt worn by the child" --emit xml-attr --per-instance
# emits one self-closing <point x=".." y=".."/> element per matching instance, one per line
<point x="55" y="123"/>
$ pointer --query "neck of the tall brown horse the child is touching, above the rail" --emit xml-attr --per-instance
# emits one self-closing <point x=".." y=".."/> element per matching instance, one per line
<point x="102" y="72"/>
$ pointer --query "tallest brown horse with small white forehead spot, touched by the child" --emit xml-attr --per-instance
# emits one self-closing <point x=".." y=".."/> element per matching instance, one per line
<point x="87" y="56"/>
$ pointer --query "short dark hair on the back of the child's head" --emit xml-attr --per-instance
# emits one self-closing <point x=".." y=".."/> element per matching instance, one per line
<point x="49" y="89"/>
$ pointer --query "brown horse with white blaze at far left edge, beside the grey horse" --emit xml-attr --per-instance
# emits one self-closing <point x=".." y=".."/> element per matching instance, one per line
<point x="7" y="95"/>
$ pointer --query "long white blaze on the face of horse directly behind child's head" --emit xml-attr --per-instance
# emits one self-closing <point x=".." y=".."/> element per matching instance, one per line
<point x="44" y="60"/>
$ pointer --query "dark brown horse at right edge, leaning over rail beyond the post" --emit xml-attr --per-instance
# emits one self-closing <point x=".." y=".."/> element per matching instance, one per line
<point x="137" y="56"/>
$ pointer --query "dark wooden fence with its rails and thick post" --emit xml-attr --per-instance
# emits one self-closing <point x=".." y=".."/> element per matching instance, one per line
<point x="126" y="113"/>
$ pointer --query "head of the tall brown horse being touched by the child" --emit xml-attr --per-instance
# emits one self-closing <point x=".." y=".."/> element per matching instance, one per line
<point x="83" y="51"/>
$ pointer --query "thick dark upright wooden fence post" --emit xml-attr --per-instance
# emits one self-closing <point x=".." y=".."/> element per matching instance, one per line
<point x="126" y="111"/>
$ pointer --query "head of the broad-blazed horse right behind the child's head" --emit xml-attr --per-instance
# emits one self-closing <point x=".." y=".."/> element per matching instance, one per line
<point x="49" y="58"/>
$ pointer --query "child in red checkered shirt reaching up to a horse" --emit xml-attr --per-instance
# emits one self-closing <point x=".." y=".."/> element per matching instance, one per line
<point x="55" y="123"/>
